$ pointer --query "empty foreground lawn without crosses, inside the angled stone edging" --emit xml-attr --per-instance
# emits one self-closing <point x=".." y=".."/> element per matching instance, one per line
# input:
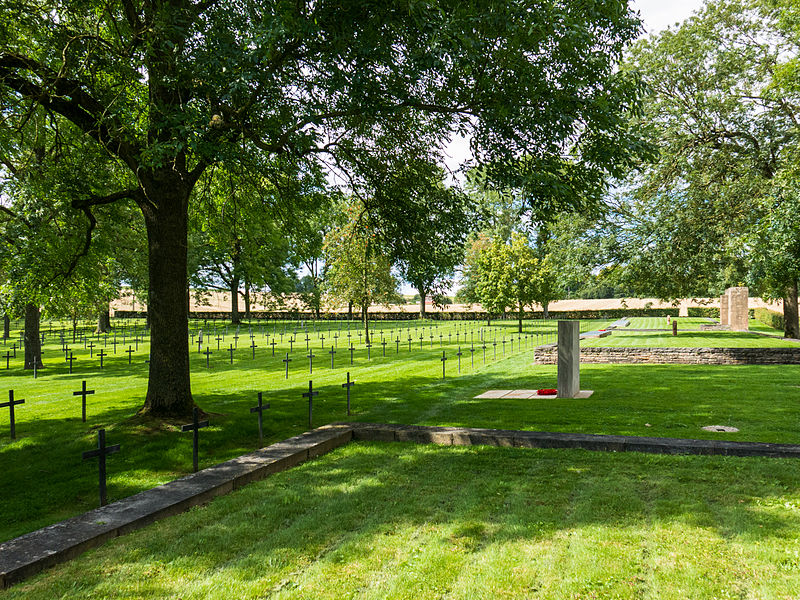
<point x="404" y="521"/>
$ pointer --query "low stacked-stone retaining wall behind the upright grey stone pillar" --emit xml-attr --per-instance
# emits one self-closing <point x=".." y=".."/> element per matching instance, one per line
<point x="548" y="355"/>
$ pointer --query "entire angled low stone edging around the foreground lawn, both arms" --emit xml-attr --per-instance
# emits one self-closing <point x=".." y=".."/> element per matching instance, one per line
<point x="33" y="552"/>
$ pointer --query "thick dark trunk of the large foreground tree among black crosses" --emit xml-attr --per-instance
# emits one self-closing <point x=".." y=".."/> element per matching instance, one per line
<point x="169" y="390"/>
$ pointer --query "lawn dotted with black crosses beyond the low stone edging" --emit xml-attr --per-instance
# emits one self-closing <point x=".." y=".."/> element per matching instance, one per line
<point x="44" y="479"/>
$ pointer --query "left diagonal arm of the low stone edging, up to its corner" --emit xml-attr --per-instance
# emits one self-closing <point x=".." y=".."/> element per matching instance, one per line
<point x="28" y="554"/>
